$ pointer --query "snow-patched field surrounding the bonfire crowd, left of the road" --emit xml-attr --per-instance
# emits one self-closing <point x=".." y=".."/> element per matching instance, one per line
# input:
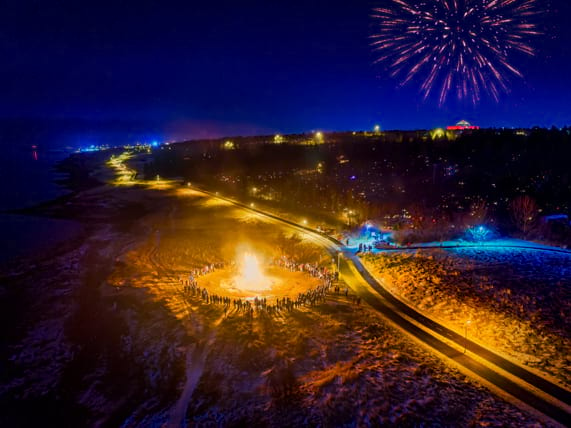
<point x="104" y="335"/>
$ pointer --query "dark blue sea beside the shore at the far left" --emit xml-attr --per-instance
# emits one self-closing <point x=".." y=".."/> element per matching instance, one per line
<point x="30" y="150"/>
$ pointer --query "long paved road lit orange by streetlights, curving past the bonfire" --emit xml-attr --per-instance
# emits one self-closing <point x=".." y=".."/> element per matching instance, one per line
<point x="371" y="291"/>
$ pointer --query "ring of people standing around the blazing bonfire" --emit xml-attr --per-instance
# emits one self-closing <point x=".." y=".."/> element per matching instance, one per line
<point x="248" y="307"/>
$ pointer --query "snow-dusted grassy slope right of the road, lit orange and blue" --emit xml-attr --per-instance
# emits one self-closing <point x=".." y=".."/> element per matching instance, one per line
<point x="518" y="300"/>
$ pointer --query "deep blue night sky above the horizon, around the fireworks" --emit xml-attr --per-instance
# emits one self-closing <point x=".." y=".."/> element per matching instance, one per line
<point x="233" y="67"/>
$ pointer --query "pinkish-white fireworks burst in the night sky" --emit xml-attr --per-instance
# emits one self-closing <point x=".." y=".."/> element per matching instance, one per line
<point x="461" y="46"/>
